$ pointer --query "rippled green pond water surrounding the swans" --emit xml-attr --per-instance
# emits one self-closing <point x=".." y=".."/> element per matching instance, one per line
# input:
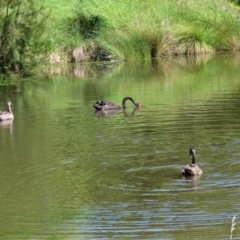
<point x="68" y="172"/>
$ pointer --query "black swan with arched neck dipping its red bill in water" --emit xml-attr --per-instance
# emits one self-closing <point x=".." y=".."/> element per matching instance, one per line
<point x="106" y="105"/>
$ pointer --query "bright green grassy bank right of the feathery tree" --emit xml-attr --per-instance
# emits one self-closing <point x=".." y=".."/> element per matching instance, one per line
<point x="144" y="29"/>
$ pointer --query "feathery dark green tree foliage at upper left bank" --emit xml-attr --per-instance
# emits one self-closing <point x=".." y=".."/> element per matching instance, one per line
<point x="22" y="26"/>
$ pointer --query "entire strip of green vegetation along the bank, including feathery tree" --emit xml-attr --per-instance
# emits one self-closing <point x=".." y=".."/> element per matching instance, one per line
<point x="91" y="30"/>
